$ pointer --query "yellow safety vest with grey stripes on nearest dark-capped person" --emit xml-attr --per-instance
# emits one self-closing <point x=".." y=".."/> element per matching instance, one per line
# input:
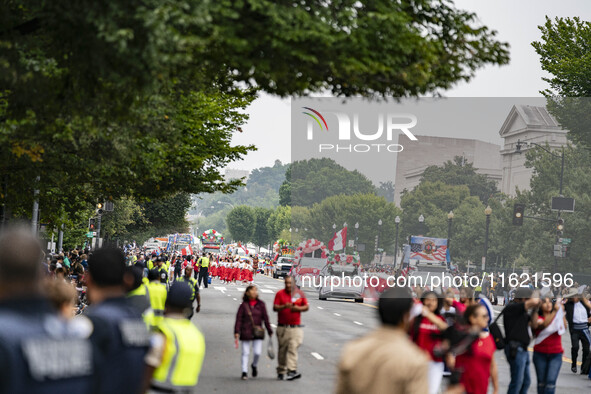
<point x="183" y="355"/>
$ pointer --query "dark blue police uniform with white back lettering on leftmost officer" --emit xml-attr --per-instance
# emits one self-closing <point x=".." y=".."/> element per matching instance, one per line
<point x="39" y="354"/>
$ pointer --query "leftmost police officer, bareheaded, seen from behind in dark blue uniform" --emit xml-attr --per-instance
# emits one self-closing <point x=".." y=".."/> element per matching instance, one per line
<point x="33" y="340"/>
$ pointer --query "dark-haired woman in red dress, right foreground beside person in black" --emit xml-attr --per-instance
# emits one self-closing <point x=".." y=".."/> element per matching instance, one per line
<point x="478" y="364"/>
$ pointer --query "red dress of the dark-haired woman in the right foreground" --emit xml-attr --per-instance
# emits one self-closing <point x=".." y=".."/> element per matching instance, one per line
<point x="475" y="363"/>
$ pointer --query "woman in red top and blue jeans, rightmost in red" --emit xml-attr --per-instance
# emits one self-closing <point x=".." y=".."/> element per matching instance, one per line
<point x="548" y="346"/>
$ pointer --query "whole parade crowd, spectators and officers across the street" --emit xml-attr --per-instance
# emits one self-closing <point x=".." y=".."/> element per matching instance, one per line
<point x="73" y="322"/>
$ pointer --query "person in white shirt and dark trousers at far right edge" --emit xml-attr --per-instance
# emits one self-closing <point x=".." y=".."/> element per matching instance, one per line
<point x="578" y="316"/>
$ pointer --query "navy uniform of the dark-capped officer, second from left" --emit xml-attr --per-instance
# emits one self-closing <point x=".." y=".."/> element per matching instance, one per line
<point x="122" y="339"/>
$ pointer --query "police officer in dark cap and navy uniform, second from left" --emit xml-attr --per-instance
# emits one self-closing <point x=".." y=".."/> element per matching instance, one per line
<point x="120" y="333"/>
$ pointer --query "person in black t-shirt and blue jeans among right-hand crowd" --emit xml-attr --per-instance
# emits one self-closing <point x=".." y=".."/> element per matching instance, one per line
<point x="517" y="333"/>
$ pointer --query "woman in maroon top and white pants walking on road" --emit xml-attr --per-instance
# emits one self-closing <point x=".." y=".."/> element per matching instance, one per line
<point x="252" y="312"/>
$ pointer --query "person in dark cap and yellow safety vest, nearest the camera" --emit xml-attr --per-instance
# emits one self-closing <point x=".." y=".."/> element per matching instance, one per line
<point x="178" y="349"/>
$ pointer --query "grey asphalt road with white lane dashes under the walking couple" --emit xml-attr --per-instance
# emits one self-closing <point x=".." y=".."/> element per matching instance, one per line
<point x="328" y="325"/>
